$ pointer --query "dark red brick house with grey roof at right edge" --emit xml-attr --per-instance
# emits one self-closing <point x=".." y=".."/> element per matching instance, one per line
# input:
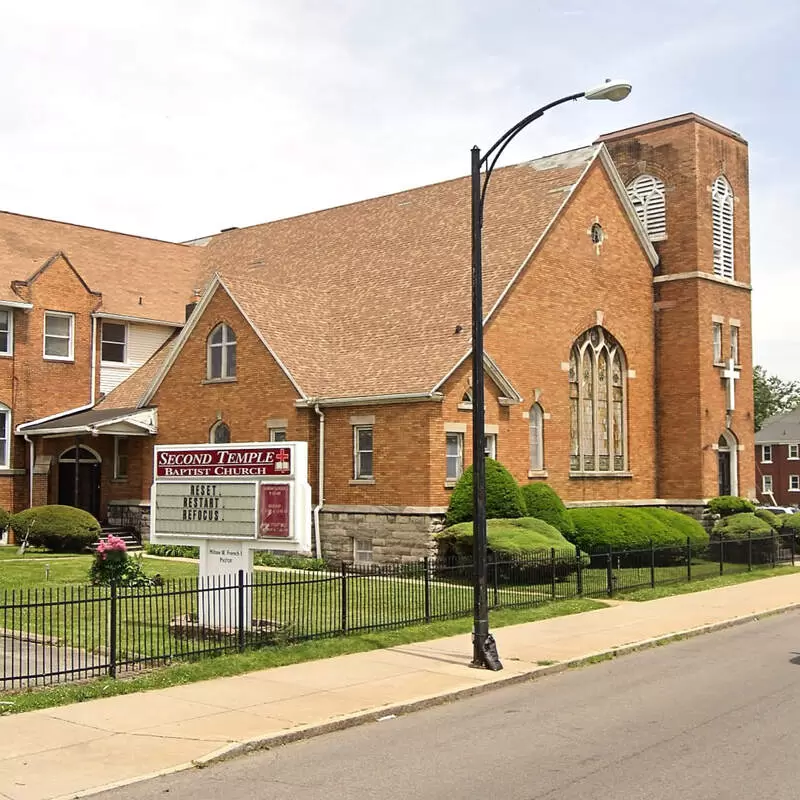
<point x="778" y="460"/>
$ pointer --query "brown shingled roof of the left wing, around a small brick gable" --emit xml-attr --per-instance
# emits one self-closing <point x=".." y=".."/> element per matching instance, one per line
<point x="121" y="268"/>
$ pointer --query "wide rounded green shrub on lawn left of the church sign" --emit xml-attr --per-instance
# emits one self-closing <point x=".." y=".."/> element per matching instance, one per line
<point x="61" y="529"/>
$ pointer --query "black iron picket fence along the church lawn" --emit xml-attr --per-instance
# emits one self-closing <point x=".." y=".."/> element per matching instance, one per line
<point x="72" y="633"/>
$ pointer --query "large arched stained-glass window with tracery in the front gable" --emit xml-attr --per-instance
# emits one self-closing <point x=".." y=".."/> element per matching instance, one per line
<point x="598" y="412"/>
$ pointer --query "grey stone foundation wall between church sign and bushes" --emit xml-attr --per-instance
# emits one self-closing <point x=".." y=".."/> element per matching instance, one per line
<point x="394" y="535"/>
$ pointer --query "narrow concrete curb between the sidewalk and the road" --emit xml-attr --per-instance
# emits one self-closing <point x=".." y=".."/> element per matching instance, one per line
<point x="375" y="714"/>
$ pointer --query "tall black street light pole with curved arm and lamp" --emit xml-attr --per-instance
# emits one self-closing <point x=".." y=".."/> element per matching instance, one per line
<point x="483" y="651"/>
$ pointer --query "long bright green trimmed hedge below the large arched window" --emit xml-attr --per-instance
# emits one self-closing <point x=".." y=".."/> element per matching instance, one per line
<point x="632" y="528"/>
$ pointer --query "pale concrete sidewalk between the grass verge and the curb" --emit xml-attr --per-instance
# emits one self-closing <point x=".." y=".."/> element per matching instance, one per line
<point x="83" y="748"/>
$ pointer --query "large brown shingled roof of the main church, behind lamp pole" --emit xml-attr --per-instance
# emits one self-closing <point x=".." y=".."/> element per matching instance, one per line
<point x="366" y="299"/>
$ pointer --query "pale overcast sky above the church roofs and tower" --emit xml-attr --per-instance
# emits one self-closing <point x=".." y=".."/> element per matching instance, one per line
<point x="175" y="118"/>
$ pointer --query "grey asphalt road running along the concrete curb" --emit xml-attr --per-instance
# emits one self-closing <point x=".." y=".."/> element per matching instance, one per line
<point x="717" y="716"/>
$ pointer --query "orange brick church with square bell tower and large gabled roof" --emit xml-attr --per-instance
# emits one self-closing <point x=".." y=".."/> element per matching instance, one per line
<point x="617" y="340"/>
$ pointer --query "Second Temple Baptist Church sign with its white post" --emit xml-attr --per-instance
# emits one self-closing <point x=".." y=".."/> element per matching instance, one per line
<point x="230" y="500"/>
